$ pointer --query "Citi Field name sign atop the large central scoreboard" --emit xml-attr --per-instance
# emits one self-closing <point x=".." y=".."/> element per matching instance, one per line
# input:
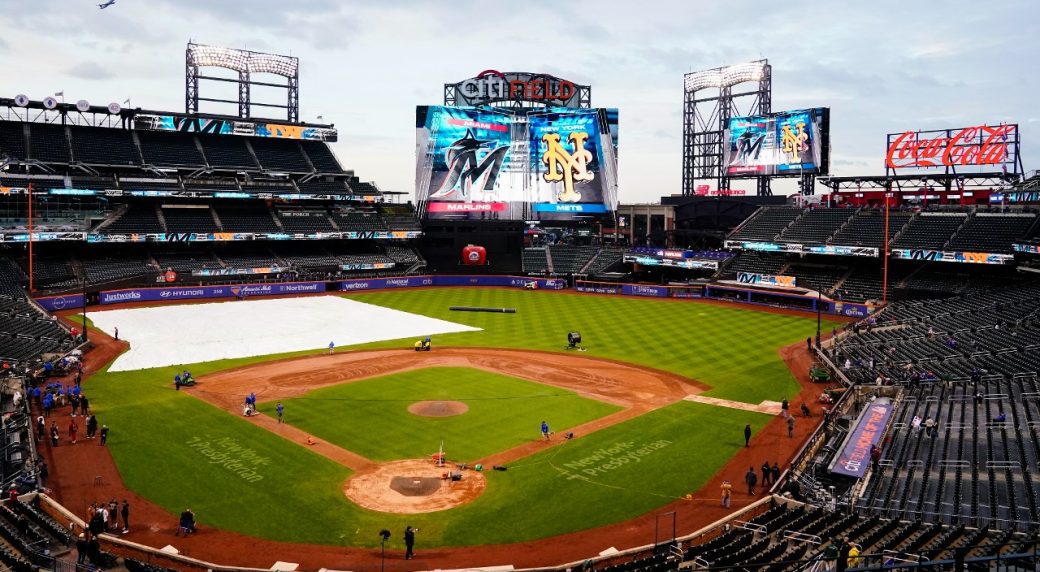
<point x="492" y="86"/>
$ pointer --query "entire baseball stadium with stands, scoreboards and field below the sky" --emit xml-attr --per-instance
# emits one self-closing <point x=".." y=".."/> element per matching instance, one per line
<point x="223" y="350"/>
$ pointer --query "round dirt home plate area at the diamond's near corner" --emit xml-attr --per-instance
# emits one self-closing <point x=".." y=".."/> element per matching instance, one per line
<point x="412" y="487"/>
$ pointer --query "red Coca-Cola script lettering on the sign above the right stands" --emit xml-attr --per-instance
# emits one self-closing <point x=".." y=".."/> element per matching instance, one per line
<point x="972" y="146"/>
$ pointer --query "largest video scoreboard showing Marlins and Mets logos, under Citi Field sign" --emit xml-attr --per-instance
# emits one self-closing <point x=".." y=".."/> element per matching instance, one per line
<point x="511" y="164"/>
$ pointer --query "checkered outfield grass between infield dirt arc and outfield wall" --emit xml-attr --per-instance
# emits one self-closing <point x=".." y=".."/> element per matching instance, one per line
<point x="733" y="350"/>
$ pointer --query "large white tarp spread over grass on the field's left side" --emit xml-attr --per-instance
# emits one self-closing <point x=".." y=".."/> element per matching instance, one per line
<point x="184" y="334"/>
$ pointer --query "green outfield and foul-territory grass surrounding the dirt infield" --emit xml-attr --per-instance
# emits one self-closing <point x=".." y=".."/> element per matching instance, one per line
<point x="160" y="436"/>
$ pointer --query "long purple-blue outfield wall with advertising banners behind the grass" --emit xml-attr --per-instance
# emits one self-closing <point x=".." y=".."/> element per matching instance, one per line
<point x="746" y="296"/>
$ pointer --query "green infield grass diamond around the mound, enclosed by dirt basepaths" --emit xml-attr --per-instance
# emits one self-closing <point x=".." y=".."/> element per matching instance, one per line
<point x="504" y="412"/>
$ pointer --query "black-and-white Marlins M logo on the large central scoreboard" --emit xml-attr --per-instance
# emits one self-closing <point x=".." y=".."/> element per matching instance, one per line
<point x="472" y="167"/>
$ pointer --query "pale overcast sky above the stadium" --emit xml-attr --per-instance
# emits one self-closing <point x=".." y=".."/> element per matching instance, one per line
<point x="881" y="66"/>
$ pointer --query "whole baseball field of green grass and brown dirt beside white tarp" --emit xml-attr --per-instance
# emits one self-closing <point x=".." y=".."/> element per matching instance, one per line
<point x="639" y="445"/>
